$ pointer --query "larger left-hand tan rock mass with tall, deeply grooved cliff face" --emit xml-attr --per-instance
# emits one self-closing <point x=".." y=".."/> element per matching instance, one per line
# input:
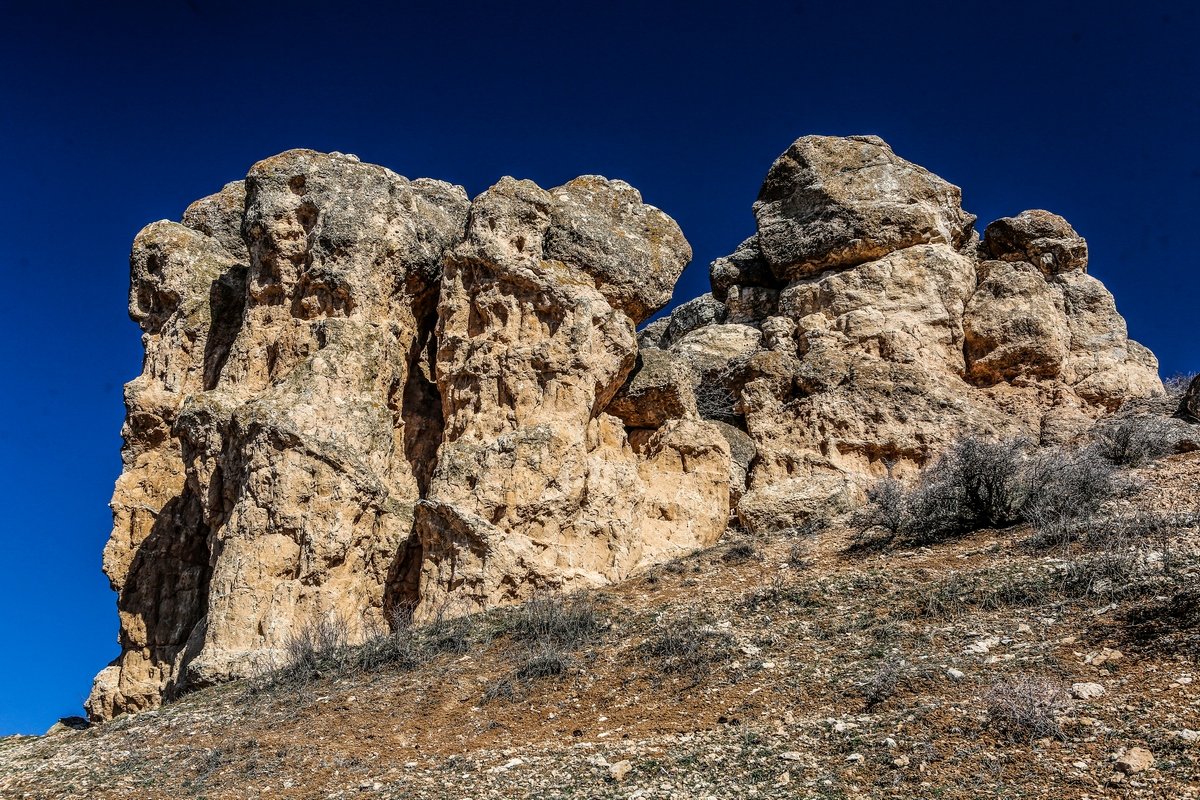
<point x="365" y="395"/>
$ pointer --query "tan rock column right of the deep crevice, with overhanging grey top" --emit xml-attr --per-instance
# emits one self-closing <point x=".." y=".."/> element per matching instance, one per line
<point x="537" y="488"/>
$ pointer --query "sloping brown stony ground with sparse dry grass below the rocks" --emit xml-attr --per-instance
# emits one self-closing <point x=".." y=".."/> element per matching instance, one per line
<point x="783" y="666"/>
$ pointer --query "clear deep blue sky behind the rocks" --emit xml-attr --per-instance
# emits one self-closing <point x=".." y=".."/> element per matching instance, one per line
<point x="113" y="116"/>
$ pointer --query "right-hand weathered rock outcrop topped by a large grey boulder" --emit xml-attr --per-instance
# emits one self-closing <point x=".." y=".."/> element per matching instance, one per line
<point x="867" y="328"/>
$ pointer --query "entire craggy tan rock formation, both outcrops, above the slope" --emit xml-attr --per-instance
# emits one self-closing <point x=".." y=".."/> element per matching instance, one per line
<point x="369" y="396"/>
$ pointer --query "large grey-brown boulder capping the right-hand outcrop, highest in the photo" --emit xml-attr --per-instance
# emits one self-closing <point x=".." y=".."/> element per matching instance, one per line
<point x="833" y="202"/>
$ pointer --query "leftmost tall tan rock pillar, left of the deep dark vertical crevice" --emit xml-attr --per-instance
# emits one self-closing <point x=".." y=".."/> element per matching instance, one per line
<point x="277" y="441"/>
